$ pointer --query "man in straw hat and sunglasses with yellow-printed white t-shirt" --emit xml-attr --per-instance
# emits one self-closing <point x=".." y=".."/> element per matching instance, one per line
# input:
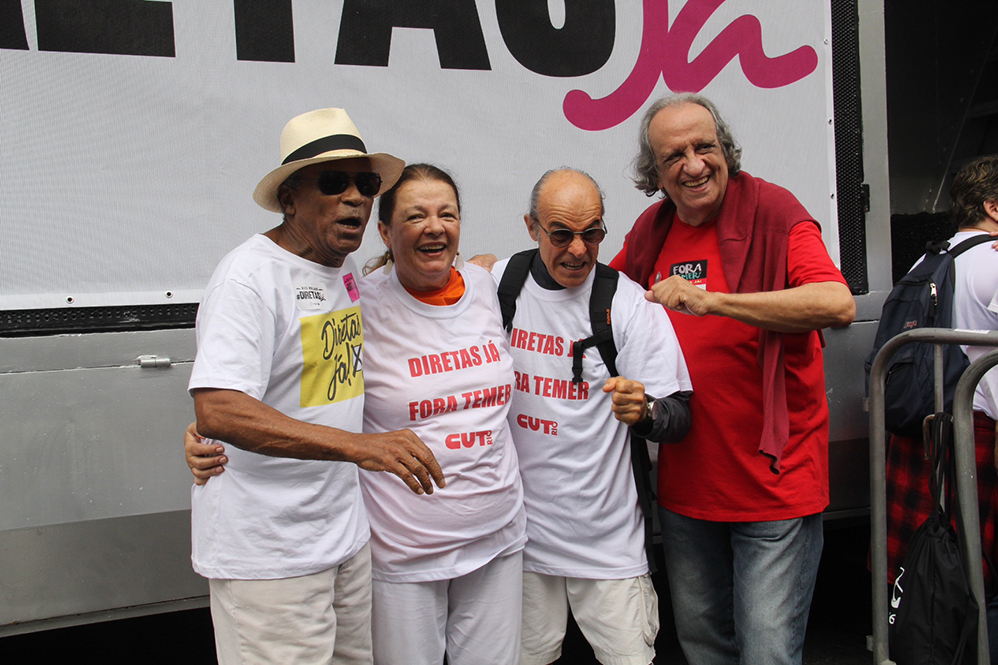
<point x="279" y="375"/>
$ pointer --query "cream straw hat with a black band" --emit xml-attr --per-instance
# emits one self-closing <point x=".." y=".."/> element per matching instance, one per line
<point x="325" y="135"/>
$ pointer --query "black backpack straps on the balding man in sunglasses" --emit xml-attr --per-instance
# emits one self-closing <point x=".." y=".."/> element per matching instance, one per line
<point x="600" y="301"/>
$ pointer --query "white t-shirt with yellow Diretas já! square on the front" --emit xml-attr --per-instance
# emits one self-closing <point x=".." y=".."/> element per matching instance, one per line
<point x="287" y="332"/>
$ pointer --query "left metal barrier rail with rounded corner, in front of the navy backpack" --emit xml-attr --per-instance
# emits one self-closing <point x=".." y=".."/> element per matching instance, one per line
<point x="878" y="468"/>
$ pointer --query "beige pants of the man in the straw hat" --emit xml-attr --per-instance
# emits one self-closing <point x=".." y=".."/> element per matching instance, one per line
<point x="322" y="618"/>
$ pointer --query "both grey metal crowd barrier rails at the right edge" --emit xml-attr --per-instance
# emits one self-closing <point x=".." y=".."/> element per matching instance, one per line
<point x="966" y="471"/>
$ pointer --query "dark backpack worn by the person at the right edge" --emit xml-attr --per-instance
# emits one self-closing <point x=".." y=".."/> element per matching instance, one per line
<point x="922" y="299"/>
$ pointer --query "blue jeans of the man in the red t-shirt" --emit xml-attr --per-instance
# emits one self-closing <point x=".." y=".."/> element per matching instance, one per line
<point x="741" y="591"/>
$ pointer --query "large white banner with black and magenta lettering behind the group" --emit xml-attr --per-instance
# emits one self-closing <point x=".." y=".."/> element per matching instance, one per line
<point x="133" y="132"/>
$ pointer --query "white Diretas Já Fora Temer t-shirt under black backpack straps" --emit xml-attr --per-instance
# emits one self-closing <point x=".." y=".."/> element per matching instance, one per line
<point x="583" y="518"/>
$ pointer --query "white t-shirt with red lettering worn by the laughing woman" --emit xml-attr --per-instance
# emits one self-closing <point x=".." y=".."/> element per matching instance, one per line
<point x="446" y="374"/>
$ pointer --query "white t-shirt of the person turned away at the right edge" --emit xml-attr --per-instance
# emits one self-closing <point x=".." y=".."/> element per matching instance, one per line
<point x="975" y="307"/>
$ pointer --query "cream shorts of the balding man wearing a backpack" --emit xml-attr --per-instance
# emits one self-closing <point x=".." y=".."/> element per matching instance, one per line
<point x="618" y="617"/>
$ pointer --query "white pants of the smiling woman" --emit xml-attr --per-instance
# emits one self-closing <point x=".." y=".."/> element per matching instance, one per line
<point x="474" y="618"/>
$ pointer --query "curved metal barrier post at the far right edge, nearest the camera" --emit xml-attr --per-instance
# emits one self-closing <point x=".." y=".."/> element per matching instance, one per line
<point x="966" y="487"/>
